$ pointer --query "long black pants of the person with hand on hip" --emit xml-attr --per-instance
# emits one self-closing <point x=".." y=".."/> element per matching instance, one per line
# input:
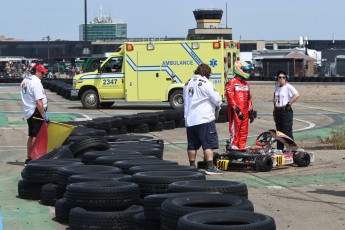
<point x="283" y="119"/>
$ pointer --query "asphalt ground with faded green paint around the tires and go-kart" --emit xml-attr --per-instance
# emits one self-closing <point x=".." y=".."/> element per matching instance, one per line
<point x="297" y="198"/>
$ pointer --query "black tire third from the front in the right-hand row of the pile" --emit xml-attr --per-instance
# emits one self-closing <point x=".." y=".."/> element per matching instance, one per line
<point x="222" y="186"/>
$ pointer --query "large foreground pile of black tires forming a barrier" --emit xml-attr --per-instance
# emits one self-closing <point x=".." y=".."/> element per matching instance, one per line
<point x="122" y="182"/>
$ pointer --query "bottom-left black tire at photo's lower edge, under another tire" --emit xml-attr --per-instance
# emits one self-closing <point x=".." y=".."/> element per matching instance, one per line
<point x="83" y="219"/>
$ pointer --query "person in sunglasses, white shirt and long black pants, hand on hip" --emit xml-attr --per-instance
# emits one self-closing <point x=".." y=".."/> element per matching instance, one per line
<point x="284" y="96"/>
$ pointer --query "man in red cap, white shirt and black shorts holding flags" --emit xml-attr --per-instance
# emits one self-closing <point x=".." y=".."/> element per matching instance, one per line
<point x="34" y="104"/>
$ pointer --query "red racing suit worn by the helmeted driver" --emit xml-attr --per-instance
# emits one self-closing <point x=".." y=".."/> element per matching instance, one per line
<point x="238" y="96"/>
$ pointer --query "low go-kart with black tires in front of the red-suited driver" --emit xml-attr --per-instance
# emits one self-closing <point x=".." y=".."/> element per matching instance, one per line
<point x="264" y="156"/>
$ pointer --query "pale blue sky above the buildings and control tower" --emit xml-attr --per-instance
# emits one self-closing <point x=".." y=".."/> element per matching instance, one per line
<point x="250" y="19"/>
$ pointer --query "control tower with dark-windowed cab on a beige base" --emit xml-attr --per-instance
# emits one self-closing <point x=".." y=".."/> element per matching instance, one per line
<point x="208" y="25"/>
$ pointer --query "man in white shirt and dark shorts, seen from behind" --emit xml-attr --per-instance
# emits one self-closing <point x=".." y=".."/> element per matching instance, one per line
<point x="200" y="103"/>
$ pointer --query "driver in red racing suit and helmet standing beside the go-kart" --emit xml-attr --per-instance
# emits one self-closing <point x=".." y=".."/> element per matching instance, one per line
<point x="240" y="108"/>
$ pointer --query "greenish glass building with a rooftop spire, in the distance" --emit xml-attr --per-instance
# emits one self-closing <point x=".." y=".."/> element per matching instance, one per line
<point x="103" y="28"/>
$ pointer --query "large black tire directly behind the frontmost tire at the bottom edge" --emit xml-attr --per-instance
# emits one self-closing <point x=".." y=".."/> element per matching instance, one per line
<point x="174" y="208"/>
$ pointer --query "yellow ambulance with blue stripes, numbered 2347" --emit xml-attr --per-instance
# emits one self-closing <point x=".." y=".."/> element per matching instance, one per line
<point x="154" y="71"/>
